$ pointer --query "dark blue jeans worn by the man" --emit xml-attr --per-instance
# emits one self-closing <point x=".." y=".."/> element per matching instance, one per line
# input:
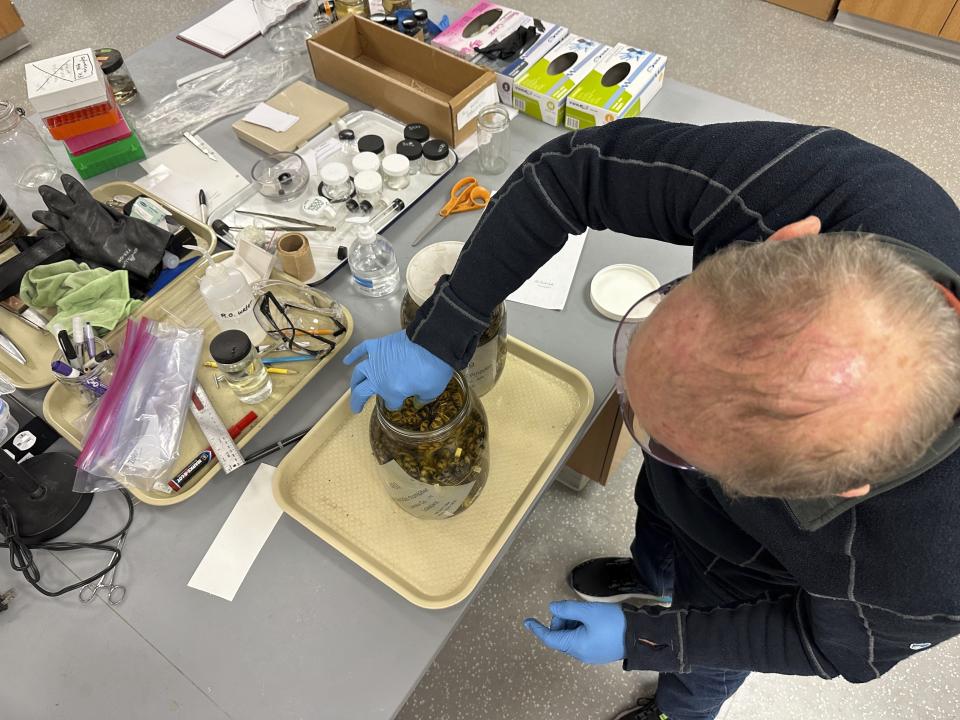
<point x="698" y="694"/>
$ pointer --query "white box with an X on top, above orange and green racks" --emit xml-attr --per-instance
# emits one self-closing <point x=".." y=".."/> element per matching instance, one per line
<point x="70" y="81"/>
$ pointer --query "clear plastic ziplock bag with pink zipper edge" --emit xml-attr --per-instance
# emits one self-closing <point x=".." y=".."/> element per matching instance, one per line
<point x="135" y="434"/>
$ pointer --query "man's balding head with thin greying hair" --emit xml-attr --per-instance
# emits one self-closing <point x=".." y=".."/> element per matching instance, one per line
<point x="804" y="368"/>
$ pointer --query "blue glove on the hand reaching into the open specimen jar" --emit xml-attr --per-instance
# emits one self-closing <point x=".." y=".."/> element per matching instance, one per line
<point x="395" y="368"/>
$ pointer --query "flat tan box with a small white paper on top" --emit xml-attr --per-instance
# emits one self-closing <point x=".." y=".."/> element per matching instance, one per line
<point x="315" y="108"/>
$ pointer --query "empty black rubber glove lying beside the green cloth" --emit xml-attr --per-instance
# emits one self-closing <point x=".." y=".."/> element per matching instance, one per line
<point x="96" y="233"/>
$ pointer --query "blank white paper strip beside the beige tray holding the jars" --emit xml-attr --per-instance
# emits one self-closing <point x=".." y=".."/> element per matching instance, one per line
<point x="239" y="541"/>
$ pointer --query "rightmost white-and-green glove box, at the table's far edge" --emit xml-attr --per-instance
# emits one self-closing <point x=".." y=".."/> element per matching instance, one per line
<point x="619" y="87"/>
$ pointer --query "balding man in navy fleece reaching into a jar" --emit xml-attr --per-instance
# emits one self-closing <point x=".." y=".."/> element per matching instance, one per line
<point x="794" y="396"/>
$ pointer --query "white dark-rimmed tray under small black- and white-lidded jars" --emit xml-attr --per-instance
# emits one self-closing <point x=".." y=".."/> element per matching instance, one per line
<point x="323" y="149"/>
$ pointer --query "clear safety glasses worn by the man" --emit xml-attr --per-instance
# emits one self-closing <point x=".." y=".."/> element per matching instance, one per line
<point x="622" y="342"/>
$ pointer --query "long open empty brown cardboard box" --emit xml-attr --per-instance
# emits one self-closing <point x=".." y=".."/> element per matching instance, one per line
<point x="403" y="77"/>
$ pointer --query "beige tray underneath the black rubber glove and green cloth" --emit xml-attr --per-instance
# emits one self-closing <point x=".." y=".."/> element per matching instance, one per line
<point x="39" y="347"/>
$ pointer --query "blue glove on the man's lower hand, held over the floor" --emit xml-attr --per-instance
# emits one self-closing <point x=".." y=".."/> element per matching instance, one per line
<point x="591" y="632"/>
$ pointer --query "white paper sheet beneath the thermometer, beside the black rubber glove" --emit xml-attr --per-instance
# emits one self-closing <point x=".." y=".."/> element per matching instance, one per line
<point x="178" y="174"/>
